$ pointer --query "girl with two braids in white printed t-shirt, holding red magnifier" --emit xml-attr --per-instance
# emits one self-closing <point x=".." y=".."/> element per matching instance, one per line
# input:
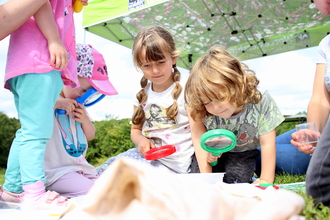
<point x="159" y="116"/>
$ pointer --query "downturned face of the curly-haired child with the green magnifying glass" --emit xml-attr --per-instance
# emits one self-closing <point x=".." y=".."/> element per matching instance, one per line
<point x="221" y="109"/>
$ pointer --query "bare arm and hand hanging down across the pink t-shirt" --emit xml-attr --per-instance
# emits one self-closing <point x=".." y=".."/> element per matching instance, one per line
<point x="45" y="20"/>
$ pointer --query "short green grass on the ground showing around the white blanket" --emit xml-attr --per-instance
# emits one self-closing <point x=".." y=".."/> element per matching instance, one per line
<point x="310" y="211"/>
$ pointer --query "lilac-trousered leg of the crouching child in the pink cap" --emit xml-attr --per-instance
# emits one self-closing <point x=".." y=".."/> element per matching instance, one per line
<point x="73" y="184"/>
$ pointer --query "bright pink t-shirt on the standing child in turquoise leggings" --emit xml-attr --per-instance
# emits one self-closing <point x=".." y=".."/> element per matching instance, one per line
<point x="28" y="49"/>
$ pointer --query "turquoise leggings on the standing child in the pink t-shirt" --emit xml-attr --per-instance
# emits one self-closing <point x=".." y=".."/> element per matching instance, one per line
<point x="35" y="96"/>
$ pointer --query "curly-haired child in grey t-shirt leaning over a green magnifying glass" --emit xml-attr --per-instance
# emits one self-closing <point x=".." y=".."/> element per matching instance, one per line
<point x="221" y="92"/>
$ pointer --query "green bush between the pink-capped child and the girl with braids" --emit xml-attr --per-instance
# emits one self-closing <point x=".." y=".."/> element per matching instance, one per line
<point x="112" y="138"/>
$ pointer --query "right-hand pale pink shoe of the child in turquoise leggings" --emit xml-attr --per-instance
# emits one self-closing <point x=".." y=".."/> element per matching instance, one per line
<point x="50" y="201"/>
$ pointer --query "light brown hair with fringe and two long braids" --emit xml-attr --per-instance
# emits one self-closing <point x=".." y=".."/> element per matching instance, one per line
<point x="157" y="43"/>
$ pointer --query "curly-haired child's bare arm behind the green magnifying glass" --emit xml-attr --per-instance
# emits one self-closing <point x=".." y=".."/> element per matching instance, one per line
<point x="197" y="130"/>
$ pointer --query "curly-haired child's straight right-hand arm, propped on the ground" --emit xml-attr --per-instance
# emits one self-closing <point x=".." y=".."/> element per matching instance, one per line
<point x="268" y="157"/>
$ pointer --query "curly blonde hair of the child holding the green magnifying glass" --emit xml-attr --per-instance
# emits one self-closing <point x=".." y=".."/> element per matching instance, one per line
<point x="236" y="83"/>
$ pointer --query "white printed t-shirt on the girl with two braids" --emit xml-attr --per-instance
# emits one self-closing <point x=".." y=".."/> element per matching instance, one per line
<point x="164" y="131"/>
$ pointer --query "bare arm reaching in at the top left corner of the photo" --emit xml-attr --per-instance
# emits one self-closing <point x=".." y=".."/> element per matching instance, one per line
<point x="14" y="13"/>
